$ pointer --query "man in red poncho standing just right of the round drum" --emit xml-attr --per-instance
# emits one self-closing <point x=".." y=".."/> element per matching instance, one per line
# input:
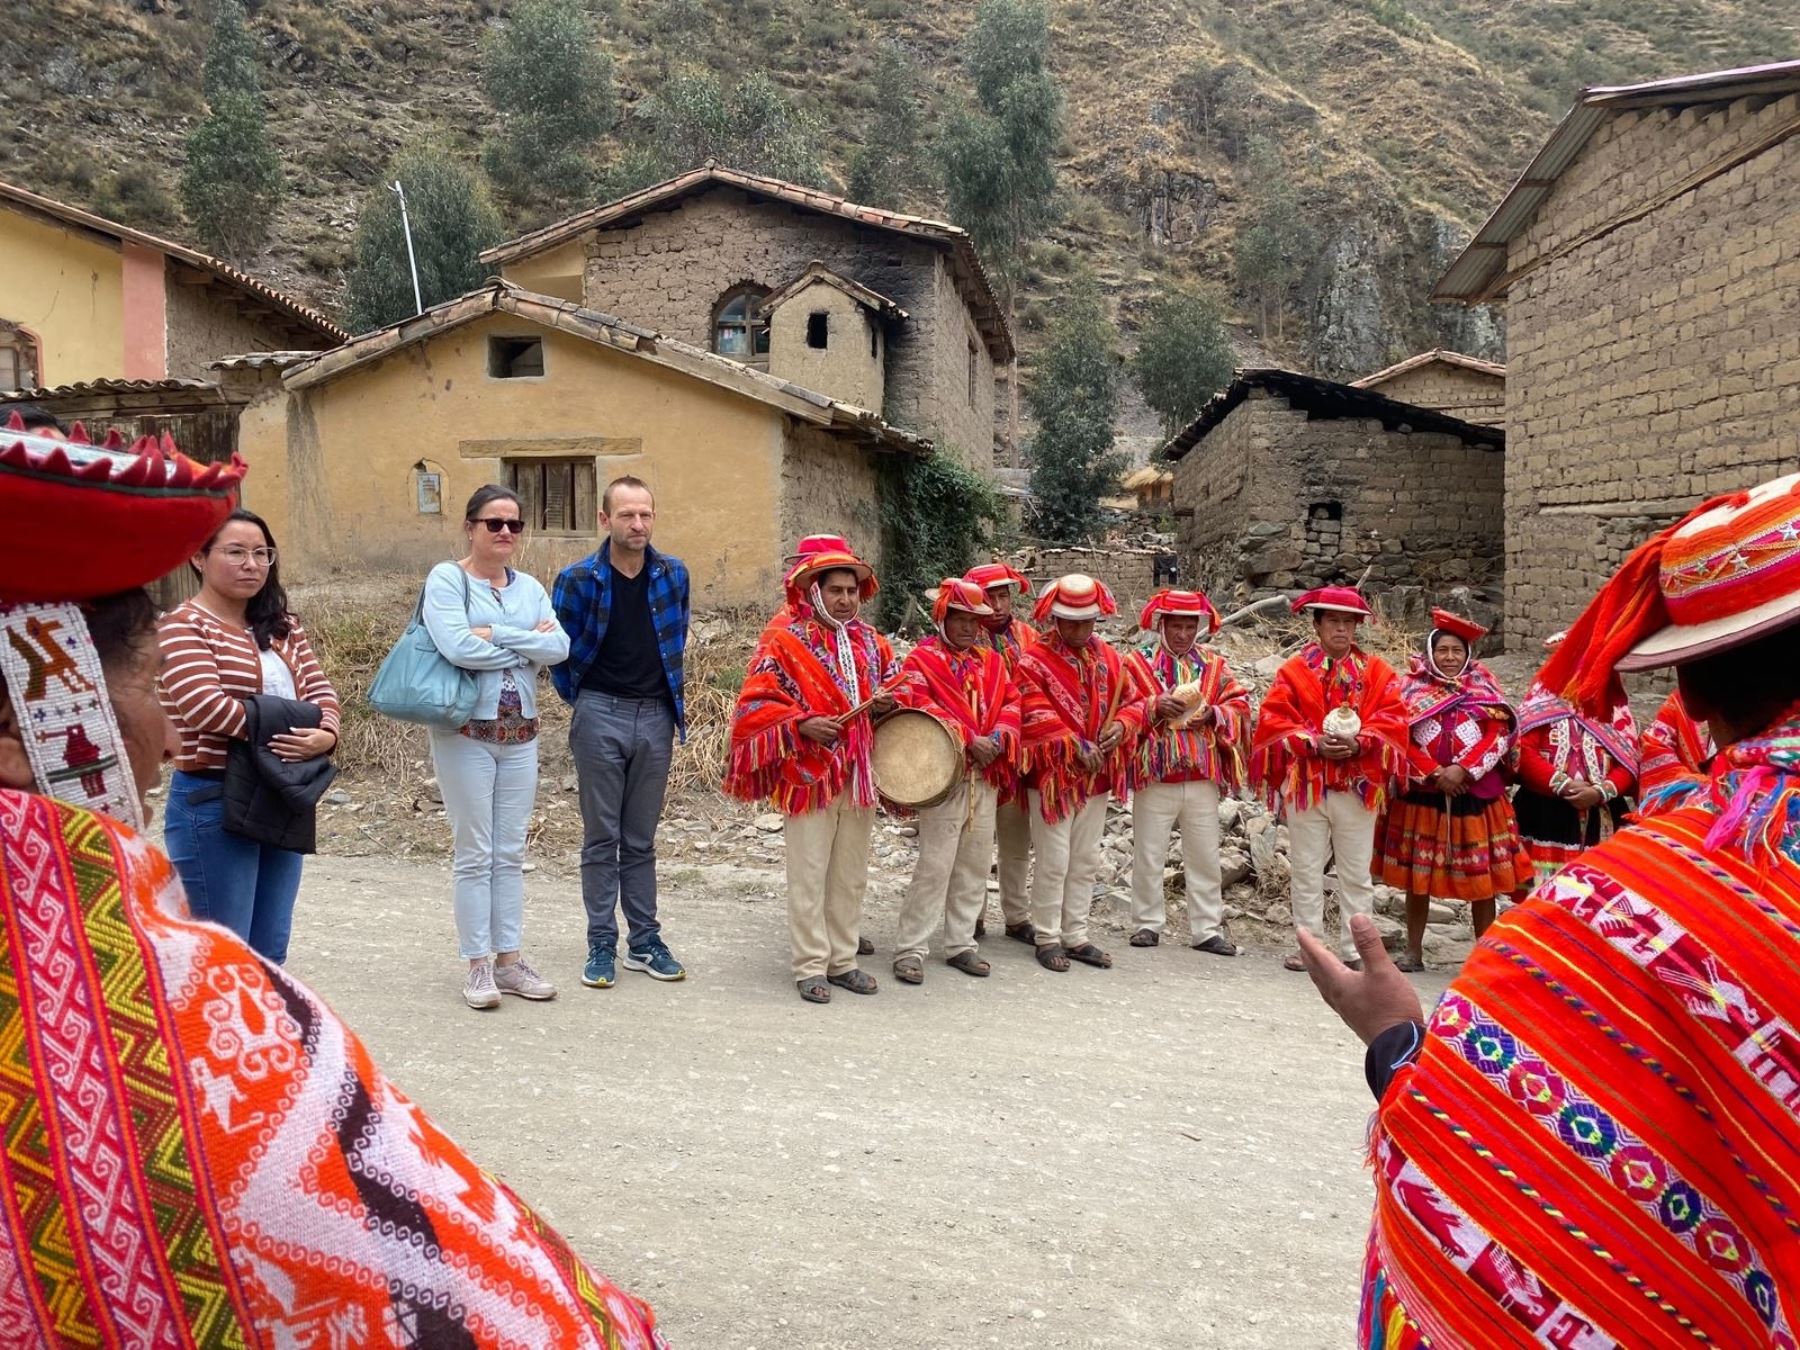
<point x="962" y="683"/>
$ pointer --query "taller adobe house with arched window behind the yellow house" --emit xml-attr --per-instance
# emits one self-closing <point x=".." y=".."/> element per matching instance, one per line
<point x="714" y="258"/>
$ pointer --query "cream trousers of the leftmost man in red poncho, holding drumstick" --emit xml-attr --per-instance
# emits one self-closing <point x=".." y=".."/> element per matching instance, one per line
<point x="829" y="870"/>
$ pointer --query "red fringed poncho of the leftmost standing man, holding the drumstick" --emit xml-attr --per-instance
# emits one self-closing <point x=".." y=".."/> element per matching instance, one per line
<point x="793" y="676"/>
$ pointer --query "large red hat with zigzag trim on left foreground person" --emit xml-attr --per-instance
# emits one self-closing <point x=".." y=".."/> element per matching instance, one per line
<point x="96" y="519"/>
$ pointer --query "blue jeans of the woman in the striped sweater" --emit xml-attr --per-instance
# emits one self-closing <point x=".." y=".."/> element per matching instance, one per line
<point x="246" y="886"/>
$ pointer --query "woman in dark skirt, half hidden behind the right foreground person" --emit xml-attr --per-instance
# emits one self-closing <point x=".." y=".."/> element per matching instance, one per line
<point x="1574" y="773"/>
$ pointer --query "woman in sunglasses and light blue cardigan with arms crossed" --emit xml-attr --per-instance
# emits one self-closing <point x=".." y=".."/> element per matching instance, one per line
<point x="490" y="618"/>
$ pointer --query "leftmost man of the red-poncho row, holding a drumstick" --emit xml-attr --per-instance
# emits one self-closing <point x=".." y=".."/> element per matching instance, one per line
<point x="802" y="737"/>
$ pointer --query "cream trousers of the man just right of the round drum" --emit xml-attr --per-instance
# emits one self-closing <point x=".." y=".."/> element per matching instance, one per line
<point x="951" y="877"/>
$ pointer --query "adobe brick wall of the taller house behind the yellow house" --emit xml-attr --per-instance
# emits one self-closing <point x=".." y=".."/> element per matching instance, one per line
<point x="670" y="267"/>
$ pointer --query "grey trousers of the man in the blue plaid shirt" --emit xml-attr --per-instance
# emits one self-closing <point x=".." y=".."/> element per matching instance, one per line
<point x="622" y="755"/>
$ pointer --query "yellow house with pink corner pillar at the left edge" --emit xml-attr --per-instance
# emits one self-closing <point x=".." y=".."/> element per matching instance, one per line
<point x="84" y="298"/>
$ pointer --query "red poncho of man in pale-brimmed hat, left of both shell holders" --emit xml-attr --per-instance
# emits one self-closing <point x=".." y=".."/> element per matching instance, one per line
<point x="1066" y="701"/>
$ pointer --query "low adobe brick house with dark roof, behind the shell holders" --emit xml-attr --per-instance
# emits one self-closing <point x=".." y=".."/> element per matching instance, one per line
<point x="1288" y="481"/>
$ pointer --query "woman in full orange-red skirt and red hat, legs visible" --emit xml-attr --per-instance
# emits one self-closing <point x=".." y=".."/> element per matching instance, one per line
<point x="1452" y="834"/>
